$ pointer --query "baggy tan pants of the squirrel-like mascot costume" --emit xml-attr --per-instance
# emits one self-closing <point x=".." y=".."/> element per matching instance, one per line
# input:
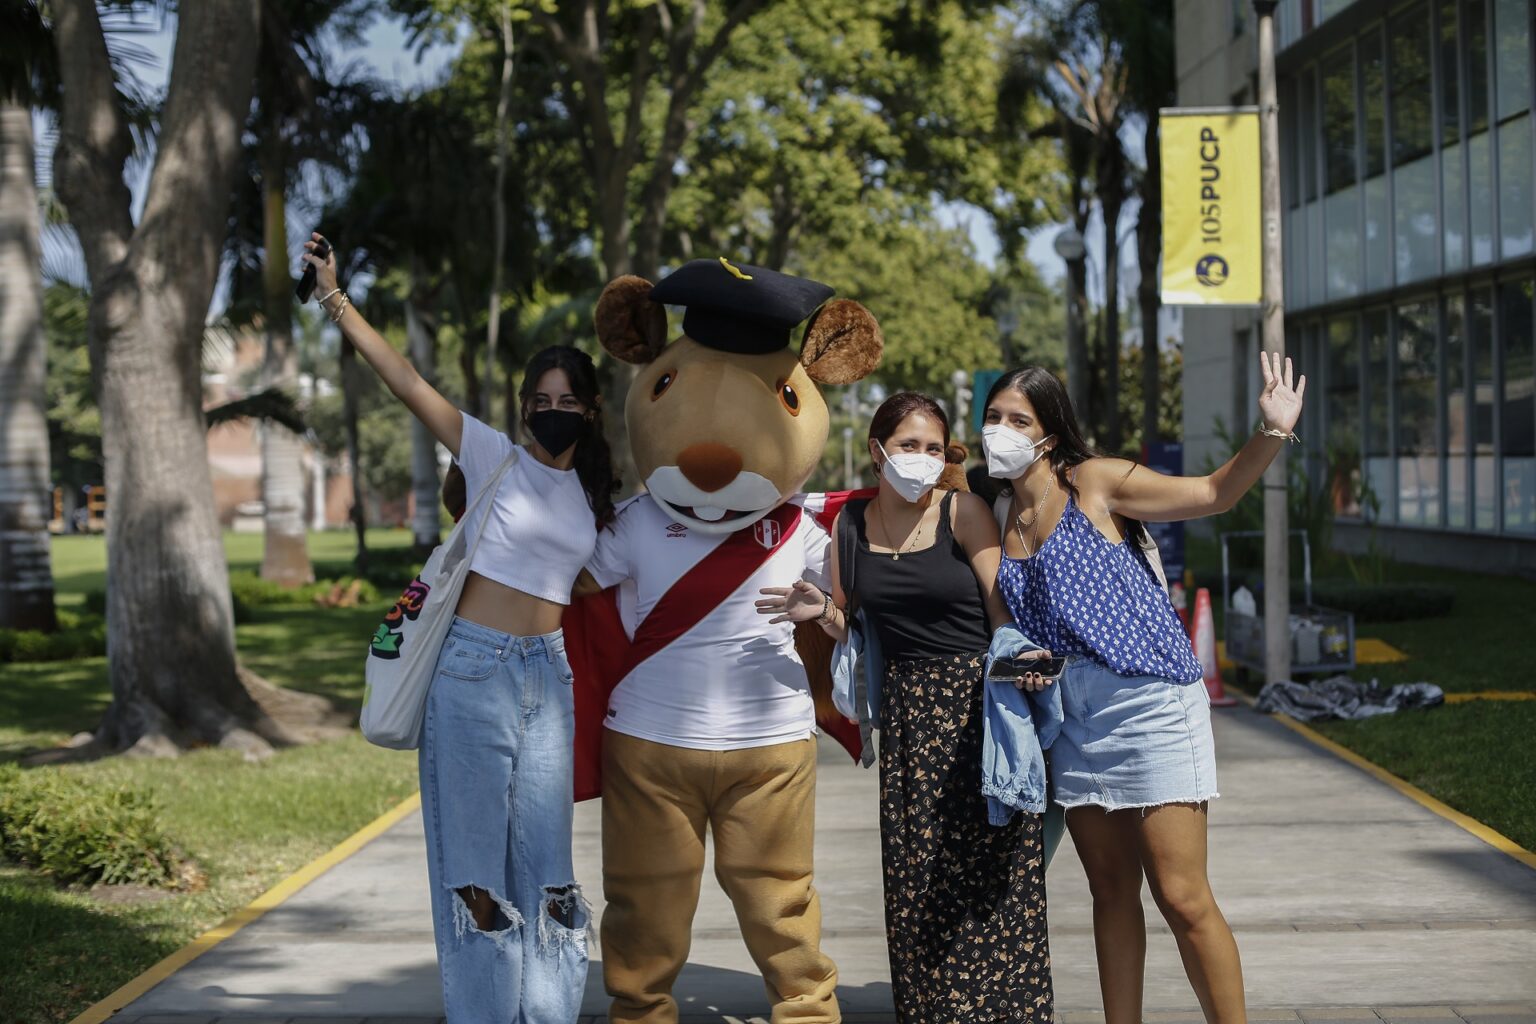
<point x="761" y="805"/>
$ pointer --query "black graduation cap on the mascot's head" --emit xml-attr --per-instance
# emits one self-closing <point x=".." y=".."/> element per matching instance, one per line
<point x="738" y="308"/>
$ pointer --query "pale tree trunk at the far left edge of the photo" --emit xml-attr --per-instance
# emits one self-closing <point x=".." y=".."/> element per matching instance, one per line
<point x="27" y="583"/>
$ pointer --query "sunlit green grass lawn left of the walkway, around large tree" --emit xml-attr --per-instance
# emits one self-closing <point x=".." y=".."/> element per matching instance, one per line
<point x="247" y="825"/>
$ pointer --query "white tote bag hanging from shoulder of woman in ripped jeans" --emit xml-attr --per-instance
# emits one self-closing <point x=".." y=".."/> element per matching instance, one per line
<point x="405" y="652"/>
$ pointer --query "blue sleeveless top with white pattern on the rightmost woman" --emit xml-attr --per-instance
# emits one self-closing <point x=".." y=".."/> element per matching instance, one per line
<point x="1082" y="595"/>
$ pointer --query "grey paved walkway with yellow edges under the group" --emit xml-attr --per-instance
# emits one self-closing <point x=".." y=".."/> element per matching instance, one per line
<point x="1349" y="902"/>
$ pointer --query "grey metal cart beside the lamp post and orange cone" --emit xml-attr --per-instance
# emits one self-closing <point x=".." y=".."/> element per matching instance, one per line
<point x="1322" y="639"/>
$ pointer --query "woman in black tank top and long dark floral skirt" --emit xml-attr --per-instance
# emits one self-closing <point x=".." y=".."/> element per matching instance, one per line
<point x="964" y="900"/>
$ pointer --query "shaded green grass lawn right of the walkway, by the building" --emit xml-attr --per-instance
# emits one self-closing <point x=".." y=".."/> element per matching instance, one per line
<point x="1478" y="756"/>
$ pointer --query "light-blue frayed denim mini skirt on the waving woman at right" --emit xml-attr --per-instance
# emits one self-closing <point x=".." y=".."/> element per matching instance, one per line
<point x="1131" y="742"/>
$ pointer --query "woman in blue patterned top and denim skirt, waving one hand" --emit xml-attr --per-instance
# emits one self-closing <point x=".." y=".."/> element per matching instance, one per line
<point x="1134" y="764"/>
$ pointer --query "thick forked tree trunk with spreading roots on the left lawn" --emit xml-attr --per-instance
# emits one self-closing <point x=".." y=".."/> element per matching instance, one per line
<point x="171" y="647"/>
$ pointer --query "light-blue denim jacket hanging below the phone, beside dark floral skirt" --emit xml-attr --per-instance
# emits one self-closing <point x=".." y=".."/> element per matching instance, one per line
<point x="1018" y="728"/>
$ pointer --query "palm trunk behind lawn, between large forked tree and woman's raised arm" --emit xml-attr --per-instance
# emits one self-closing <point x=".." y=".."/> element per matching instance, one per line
<point x="285" y="553"/>
